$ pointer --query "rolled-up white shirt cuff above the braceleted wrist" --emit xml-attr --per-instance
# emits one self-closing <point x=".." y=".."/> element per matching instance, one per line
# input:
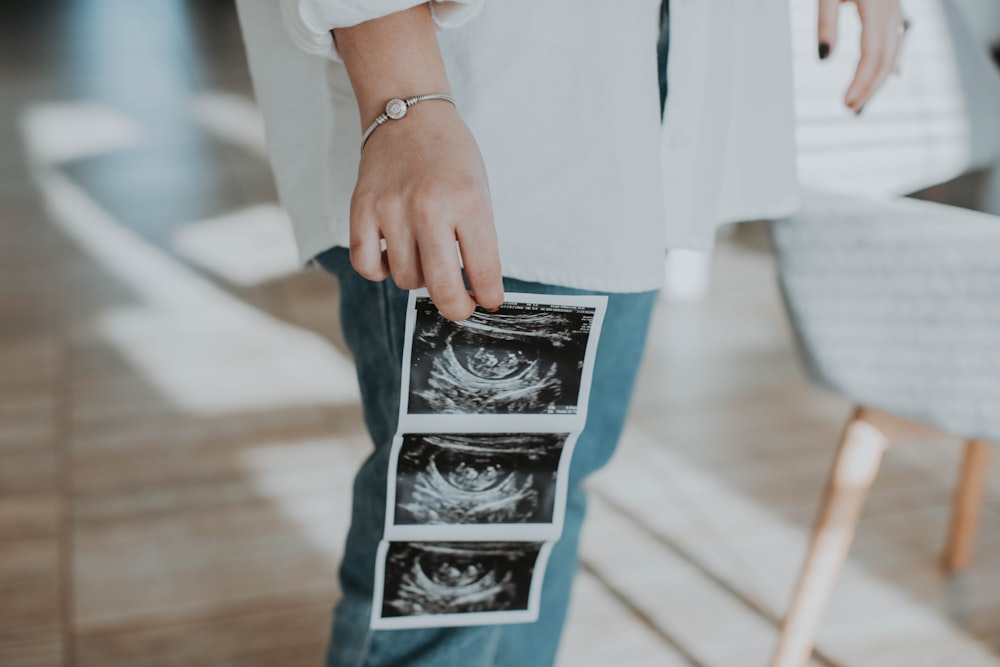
<point x="309" y="22"/>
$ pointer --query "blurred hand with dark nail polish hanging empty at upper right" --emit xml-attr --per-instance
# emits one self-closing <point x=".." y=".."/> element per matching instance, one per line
<point x="882" y="30"/>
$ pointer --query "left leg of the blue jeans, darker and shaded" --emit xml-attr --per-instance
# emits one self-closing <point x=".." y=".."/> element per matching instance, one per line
<point x="373" y="319"/>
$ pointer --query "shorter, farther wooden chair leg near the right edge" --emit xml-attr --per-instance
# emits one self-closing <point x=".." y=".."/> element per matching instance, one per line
<point x="965" y="508"/>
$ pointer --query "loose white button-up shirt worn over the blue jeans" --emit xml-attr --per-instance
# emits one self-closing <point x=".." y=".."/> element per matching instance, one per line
<point x="562" y="98"/>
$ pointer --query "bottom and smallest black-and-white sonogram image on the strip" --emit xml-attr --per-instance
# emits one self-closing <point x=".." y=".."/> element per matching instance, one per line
<point x="457" y="577"/>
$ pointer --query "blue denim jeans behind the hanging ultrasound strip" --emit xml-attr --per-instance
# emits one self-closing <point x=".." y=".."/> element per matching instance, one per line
<point x="373" y="315"/>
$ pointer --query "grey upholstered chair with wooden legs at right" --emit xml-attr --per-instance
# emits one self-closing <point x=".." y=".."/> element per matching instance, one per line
<point x="896" y="306"/>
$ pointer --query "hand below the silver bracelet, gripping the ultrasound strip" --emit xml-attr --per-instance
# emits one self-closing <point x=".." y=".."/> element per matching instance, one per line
<point x="421" y="186"/>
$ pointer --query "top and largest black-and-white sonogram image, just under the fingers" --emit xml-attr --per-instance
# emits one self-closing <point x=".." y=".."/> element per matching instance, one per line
<point x="525" y="358"/>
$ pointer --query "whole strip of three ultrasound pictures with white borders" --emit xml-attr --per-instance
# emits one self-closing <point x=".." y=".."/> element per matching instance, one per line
<point x="490" y="411"/>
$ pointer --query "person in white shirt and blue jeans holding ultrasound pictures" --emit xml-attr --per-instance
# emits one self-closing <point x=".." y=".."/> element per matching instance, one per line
<point x="482" y="147"/>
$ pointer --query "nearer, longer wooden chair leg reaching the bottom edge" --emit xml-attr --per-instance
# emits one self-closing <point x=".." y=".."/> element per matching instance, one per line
<point x="855" y="466"/>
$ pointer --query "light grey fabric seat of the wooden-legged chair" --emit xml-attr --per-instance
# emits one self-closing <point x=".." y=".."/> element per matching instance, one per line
<point x="896" y="305"/>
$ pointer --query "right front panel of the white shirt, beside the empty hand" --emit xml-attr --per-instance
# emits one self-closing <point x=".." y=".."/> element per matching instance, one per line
<point x="728" y="136"/>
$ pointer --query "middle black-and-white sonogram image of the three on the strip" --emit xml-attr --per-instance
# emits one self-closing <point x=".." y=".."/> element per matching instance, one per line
<point x="477" y="479"/>
